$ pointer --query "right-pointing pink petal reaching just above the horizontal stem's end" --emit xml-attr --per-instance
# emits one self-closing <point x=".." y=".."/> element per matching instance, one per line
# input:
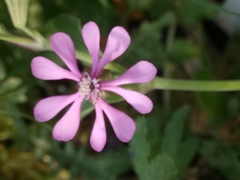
<point x="141" y="72"/>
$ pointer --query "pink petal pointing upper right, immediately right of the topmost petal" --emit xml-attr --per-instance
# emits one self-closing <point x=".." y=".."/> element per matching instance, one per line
<point x="117" y="43"/>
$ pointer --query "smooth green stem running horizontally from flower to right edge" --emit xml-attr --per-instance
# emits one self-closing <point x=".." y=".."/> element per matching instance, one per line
<point x="194" y="85"/>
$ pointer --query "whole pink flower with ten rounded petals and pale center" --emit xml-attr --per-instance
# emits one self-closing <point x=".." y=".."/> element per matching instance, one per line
<point x="90" y="86"/>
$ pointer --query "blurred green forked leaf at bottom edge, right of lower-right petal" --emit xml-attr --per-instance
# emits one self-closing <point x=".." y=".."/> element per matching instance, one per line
<point x="162" y="167"/>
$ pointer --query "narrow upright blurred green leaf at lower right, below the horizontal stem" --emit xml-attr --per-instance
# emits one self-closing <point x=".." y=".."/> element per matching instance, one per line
<point x="174" y="132"/>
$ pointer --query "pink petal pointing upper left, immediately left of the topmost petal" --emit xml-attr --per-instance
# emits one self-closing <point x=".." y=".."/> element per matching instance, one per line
<point x="63" y="46"/>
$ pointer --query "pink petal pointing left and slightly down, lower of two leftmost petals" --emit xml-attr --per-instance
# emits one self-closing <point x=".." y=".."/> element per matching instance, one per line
<point x="47" y="108"/>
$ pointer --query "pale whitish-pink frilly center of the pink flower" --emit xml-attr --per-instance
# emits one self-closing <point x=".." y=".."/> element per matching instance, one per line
<point x="89" y="87"/>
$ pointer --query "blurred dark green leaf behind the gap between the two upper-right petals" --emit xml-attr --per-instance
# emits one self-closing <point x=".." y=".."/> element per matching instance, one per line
<point x="146" y="42"/>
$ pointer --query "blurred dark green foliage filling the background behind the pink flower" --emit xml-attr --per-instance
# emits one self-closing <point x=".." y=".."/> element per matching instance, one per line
<point x="188" y="135"/>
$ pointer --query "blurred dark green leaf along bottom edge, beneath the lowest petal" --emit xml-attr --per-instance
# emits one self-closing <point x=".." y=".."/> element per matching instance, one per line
<point x="108" y="166"/>
